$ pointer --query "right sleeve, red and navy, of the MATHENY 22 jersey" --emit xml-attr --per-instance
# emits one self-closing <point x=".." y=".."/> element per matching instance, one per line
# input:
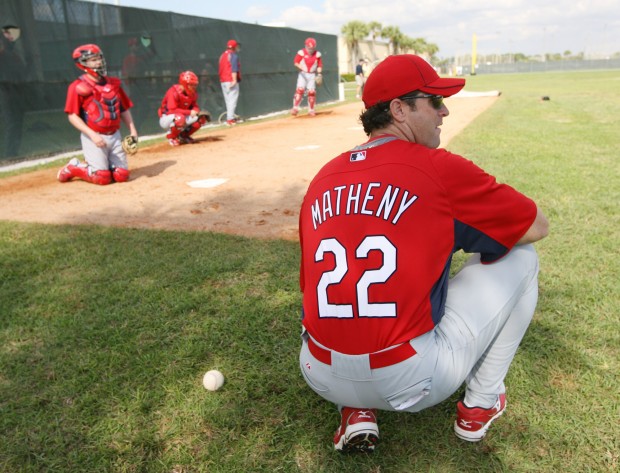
<point x="489" y="217"/>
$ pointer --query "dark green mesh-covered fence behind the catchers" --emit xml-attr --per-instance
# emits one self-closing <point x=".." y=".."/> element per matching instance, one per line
<point x="147" y="50"/>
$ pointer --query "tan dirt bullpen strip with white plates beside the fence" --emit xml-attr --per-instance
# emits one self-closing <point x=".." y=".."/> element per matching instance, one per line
<point x="262" y="170"/>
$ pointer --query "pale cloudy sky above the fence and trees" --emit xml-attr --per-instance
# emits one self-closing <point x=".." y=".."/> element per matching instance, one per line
<point x="501" y="26"/>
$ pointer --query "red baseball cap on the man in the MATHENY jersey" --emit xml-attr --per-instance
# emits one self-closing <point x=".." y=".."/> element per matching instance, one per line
<point x="398" y="75"/>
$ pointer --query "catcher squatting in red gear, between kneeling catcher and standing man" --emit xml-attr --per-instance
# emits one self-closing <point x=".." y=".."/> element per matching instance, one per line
<point x="179" y="111"/>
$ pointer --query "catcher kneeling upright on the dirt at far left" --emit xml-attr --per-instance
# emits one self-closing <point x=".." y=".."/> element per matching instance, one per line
<point x="96" y="105"/>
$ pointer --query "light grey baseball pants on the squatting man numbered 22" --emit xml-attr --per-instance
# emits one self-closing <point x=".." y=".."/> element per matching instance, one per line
<point x="488" y="310"/>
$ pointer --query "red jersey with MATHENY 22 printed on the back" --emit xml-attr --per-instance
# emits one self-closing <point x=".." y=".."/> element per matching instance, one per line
<point x="378" y="228"/>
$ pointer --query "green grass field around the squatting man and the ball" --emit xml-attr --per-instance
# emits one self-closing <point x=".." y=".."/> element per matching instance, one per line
<point x="105" y="333"/>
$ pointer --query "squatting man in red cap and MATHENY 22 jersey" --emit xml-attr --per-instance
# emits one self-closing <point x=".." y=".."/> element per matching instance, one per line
<point x="384" y="326"/>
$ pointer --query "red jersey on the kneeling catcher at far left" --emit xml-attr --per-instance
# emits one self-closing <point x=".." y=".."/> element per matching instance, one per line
<point x="99" y="104"/>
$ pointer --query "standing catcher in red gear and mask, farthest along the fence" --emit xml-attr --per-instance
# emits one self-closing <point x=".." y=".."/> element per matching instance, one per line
<point x="310" y="65"/>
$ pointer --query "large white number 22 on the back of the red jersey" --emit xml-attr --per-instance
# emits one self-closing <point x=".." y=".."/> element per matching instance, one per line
<point x="369" y="277"/>
